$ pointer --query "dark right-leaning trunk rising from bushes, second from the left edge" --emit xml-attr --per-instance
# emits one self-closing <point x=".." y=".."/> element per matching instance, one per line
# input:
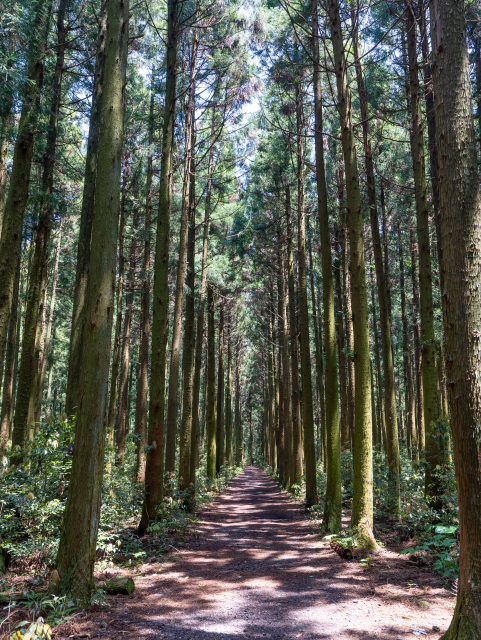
<point x="30" y="361"/>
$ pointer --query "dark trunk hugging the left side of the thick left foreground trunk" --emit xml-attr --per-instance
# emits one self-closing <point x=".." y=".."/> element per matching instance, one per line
<point x="86" y="216"/>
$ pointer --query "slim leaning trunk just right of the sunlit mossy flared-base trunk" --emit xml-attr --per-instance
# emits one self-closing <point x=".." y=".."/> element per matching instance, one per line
<point x="394" y="497"/>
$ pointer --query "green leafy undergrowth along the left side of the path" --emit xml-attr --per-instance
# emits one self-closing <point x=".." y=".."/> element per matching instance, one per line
<point x="33" y="497"/>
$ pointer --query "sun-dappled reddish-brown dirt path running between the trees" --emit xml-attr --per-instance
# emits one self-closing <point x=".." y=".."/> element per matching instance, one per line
<point x="259" y="569"/>
